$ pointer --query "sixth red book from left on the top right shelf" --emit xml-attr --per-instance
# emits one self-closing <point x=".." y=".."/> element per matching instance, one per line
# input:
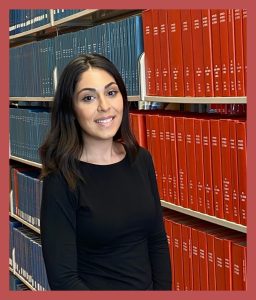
<point x="198" y="55"/>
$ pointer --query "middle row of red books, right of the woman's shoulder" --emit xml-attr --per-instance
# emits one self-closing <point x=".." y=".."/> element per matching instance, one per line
<point x="200" y="160"/>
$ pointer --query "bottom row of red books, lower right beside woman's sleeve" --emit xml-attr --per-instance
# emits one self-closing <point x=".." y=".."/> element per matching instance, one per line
<point x="205" y="256"/>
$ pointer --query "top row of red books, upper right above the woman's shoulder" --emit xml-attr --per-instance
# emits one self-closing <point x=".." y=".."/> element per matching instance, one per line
<point x="197" y="52"/>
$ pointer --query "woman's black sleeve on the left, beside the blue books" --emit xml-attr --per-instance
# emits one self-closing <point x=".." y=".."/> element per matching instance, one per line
<point x="58" y="234"/>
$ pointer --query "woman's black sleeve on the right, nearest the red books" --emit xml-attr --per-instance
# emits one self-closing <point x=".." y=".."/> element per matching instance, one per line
<point x="158" y="245"/>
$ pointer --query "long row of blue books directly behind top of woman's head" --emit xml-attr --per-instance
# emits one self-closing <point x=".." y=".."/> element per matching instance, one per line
<point x="36" y="67"/>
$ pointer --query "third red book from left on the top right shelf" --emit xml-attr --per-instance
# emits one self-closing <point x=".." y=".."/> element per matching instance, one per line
<point x="164" y="48"/>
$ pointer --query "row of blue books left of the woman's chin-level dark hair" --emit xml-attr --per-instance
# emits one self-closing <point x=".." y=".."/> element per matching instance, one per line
<point x="28" y="129"/>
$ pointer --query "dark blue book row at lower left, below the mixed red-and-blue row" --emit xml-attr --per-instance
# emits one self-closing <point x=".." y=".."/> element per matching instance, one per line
<point x="27" y="258"/>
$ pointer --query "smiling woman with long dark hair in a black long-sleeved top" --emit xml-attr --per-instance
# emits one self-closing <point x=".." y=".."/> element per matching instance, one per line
<point x="101" y="220"/>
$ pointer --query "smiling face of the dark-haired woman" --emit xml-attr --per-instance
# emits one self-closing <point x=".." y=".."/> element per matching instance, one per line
<point x="98" y="105"/>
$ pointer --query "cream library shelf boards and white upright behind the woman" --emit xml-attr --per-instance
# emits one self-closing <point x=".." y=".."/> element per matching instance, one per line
<point x="86" y="19"/>
